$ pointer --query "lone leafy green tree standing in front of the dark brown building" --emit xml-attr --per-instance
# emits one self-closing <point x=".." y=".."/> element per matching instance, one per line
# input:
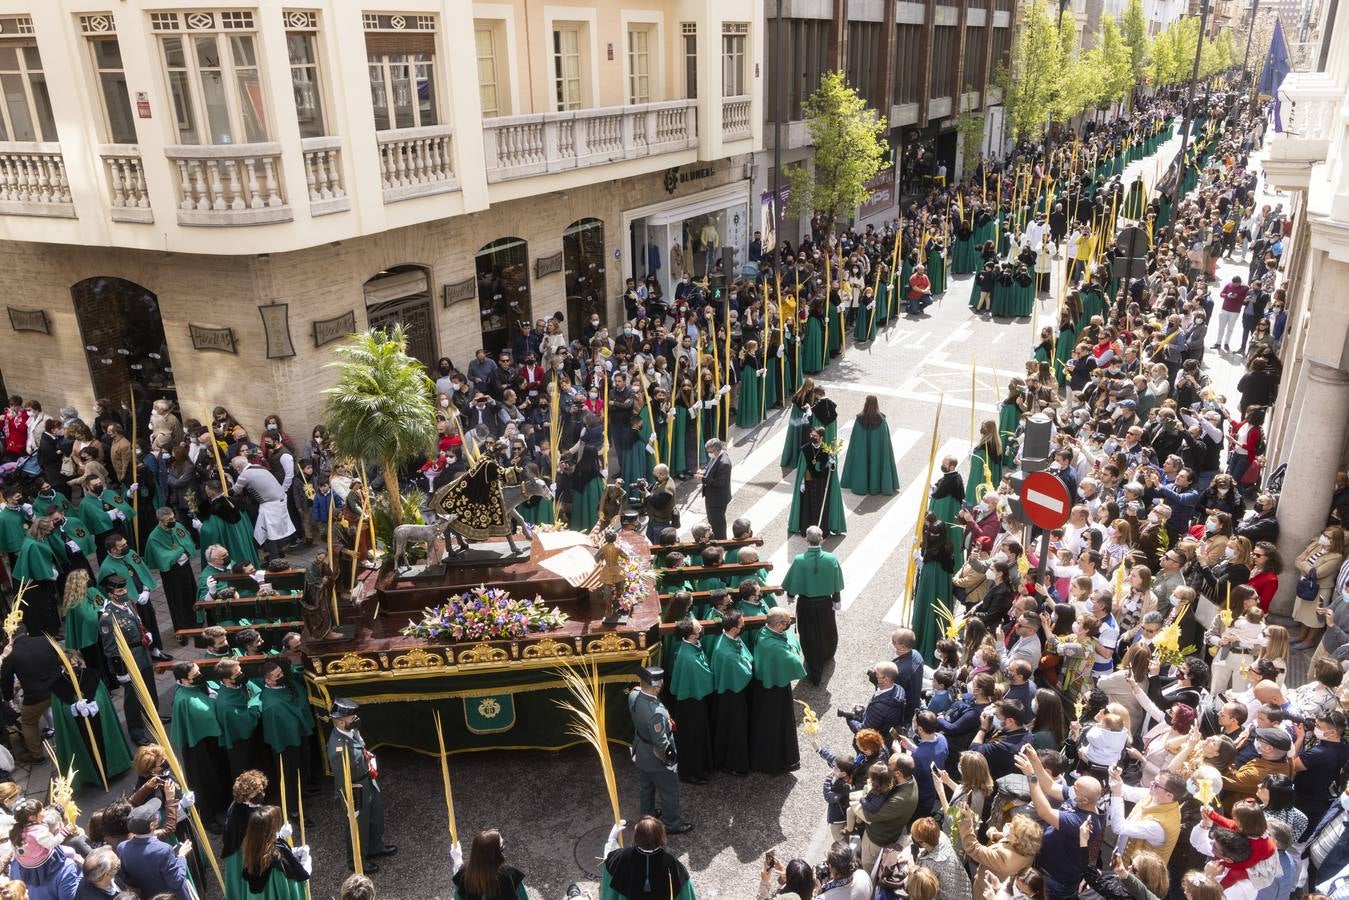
<point x="846" y="136"/>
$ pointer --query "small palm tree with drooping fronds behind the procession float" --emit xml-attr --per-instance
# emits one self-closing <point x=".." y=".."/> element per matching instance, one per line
<point x="381" y="408"/>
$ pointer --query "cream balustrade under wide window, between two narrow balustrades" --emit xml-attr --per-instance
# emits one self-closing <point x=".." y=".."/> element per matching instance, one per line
<point x="229" y="186"/>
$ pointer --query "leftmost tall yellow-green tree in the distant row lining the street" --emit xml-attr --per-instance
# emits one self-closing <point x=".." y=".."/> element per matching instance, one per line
<point x="1033" y="78"/>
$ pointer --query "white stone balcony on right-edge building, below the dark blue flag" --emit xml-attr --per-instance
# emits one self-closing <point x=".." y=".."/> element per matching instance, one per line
<point x="1311" y="117"/>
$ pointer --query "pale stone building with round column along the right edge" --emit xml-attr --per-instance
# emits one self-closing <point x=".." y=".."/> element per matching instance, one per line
<point x="1309" y="428"/>
